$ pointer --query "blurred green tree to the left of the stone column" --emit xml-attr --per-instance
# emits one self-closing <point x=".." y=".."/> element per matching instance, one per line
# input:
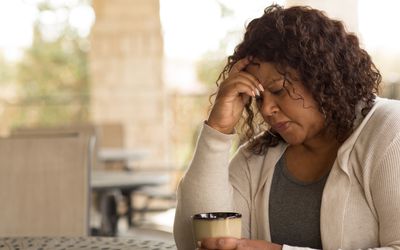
<point x="53" y="78"/>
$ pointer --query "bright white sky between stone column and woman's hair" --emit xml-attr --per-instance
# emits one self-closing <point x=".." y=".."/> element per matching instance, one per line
<point x="192" y="27"/>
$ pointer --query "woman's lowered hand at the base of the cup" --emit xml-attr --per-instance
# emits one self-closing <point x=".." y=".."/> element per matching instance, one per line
<point x="225" y="243"/>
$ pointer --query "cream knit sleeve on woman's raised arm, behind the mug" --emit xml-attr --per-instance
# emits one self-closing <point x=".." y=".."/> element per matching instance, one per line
<point x="207" y="185"/>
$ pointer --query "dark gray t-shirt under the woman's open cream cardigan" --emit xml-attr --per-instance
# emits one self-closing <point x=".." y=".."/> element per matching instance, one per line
<point x="294" y="209"/>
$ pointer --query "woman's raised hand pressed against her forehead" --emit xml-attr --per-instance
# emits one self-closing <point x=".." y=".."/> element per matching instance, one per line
<point x="233" y="94"/>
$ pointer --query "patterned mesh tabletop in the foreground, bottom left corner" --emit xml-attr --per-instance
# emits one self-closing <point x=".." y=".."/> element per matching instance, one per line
<point x="82" y="243"/>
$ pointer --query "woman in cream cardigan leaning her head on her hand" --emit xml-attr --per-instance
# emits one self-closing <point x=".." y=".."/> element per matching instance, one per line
<point x="324" y="172"/>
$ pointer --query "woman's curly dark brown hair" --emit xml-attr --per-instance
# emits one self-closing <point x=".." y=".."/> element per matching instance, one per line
<point x="331" y="65"/>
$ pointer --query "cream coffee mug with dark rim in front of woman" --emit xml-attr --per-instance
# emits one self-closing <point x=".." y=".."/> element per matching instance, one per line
<point x="217" y="224"/>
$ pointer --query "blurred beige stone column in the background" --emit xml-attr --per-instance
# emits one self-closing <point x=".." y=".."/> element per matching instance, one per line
<point x="126" y="73"/>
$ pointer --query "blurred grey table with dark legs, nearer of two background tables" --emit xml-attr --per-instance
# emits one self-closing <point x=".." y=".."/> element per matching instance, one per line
<point x="108" y="184"/>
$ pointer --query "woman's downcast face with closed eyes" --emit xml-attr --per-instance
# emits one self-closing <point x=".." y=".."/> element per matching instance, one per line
<point x="286" y="105"/>
